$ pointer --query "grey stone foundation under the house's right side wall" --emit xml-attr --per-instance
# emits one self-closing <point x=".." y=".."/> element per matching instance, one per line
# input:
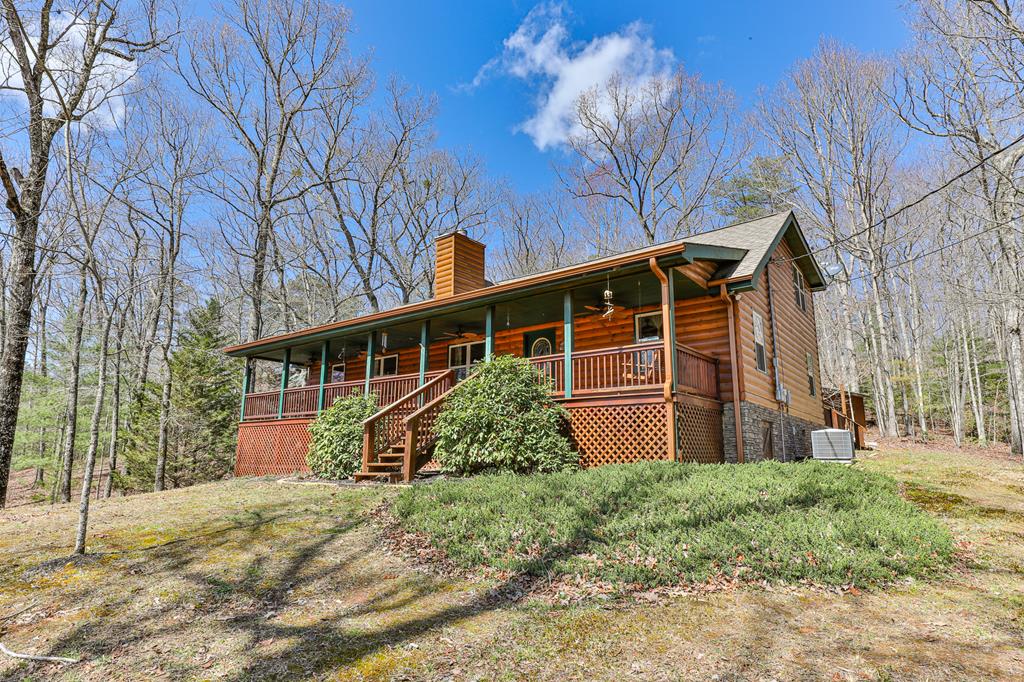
<point x="791" y="437"/>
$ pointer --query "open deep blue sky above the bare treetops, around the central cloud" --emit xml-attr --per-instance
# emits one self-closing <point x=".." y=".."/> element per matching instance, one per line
<point x="442" y="48"/>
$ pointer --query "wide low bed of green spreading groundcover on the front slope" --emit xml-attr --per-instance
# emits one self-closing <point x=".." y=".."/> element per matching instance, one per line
<point x="662" y="524"/>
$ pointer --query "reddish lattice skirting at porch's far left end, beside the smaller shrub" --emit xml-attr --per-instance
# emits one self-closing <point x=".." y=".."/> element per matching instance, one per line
<point x="273" y="448"/>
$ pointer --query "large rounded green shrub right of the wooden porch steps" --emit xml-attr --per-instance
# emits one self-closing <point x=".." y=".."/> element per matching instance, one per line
<point x="501" y="420"/>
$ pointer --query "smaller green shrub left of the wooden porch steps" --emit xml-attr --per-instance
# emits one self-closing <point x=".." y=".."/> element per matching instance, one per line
<point x="336" y="437"/>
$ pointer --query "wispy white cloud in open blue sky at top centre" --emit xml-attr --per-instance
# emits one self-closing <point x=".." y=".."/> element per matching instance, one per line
<point x="541" y="52"/>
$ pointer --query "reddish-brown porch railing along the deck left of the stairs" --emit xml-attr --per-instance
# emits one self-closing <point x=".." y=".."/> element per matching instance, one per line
<point x="301" y="402"/>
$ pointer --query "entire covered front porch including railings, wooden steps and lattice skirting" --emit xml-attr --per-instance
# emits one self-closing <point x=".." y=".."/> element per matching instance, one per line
<point x="634" y="353"/>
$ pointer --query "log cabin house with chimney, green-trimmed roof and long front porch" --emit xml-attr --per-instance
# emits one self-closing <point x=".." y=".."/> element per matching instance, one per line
<point x="699" y="350"/>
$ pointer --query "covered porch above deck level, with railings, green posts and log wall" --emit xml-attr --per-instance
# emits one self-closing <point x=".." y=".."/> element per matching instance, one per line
<point x="580" y="347"/>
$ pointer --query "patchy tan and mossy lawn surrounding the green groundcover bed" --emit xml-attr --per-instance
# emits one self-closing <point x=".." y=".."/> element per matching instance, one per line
<point x="258" y="580"/>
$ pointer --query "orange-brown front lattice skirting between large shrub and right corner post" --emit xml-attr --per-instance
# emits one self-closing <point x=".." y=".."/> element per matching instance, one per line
<point x="619" y="432"/>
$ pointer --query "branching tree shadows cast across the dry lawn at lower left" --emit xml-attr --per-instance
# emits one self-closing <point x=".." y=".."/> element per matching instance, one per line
<point x="246" y="603"/>
